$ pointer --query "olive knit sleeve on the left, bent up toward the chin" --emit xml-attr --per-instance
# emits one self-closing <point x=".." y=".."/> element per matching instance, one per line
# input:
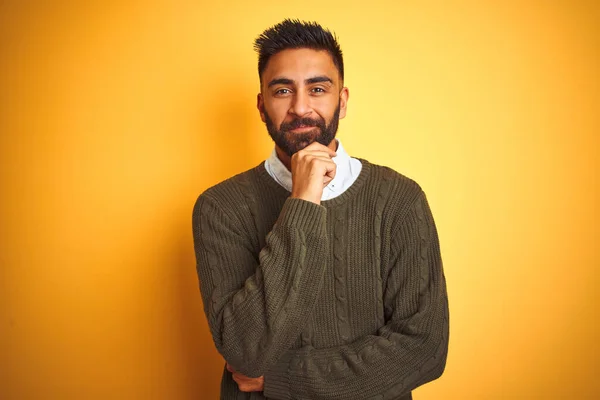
<point x="256" y="306"/>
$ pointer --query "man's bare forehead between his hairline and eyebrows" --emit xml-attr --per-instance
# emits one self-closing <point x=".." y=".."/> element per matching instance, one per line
<point x="300" y="64"/>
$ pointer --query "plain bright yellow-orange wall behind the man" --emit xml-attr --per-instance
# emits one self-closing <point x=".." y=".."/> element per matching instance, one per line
<point x="114" y="117"/>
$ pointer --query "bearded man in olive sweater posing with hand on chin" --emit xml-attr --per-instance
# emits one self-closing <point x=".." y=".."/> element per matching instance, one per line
<point x="320" y="273"/>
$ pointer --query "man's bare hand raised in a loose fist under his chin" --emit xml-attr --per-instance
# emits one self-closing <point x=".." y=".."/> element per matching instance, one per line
<point x="312" y="170"/>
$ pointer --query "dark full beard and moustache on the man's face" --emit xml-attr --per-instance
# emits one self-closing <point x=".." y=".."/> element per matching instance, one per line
<point x="291" y="142"/>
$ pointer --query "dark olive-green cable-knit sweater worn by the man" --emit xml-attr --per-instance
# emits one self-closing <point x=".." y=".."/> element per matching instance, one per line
<point x="343" y="300"/>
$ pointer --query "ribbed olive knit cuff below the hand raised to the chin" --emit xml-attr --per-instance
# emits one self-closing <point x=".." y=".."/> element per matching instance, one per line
<point x="304" y="215"/>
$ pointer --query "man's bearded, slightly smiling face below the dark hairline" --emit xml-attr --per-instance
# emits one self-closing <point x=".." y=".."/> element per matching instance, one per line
<point x="301" y="99"/>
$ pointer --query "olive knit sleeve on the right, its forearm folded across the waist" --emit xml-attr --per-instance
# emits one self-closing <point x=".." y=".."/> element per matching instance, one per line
<point x="408" y="351"/>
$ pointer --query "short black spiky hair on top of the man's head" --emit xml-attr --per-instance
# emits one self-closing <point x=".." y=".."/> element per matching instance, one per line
<point x="296" y="34"/>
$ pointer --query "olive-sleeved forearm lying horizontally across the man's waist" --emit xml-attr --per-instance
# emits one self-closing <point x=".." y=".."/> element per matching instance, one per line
<point x="390" y="364"/>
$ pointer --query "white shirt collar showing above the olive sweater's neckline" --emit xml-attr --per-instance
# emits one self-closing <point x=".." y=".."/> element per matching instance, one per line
<point x="347" y="171"/>
